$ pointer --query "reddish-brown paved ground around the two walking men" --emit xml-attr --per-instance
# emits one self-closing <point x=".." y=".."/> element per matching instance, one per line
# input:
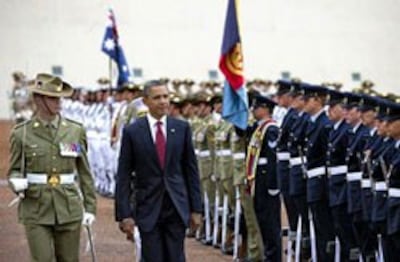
<point x="110" y="243"/>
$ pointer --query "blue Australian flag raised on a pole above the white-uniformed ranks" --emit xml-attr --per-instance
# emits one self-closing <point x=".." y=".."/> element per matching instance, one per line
<point x="111" y="47"/>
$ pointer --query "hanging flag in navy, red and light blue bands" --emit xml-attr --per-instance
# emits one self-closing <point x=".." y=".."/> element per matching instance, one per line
<point x="234" y="104"/>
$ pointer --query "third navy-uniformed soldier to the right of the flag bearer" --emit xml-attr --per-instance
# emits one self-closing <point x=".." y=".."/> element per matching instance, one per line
<point x="317" y="136"/>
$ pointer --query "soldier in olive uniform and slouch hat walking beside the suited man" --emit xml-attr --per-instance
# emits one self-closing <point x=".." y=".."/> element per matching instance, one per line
<point x="48" y="161"/>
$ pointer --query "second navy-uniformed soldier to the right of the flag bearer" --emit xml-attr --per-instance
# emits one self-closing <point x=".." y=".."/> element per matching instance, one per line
<point x="297" y="172"/>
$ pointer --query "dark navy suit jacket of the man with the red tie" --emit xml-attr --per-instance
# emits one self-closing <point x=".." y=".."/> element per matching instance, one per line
<point x="179" y="178"/>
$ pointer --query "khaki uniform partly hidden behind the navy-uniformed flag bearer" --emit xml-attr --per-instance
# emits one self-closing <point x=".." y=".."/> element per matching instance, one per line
<point x="255" y="246"/>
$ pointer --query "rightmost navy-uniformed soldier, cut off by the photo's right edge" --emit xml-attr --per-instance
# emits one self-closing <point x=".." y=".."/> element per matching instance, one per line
<point x="393" y="178"/>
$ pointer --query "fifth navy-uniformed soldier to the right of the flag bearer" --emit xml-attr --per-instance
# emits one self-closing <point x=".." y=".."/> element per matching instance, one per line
<point x="357" y="138"/>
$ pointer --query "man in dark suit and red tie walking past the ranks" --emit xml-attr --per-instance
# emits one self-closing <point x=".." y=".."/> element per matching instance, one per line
<point x="157" y="151"/>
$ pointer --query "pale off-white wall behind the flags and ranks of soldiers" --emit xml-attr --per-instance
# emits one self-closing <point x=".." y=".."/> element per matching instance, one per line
<point x="314" y="40"/>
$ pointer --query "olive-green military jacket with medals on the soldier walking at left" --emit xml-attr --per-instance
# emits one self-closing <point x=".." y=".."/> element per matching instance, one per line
<point x="62" y="150"/>
